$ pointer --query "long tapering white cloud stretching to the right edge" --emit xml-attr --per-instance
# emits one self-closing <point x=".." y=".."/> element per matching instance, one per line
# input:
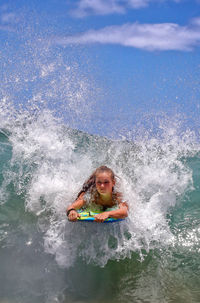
<point x="151" y="37"/>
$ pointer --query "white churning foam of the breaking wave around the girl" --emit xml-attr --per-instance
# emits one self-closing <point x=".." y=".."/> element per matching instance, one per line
<point x="49" y="164"/>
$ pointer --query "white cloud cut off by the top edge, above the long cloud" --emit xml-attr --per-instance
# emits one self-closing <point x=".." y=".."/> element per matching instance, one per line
<point x="105" y="7"/>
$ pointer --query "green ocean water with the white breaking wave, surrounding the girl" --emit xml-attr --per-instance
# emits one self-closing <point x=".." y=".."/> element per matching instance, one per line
<point x="153" y="256"/>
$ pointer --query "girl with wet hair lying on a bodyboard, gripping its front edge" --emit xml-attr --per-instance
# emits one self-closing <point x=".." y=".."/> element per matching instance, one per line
<point x="98" y="191"/>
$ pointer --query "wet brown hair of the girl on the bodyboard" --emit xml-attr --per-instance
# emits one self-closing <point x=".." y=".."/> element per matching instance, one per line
<point x="90" y="183"/>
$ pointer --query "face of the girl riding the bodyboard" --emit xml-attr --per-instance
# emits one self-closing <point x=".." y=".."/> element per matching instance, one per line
<point x="104" y="183"/>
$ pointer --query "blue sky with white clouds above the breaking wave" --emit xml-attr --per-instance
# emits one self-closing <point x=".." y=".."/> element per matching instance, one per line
<point x="103" y="66"/>
